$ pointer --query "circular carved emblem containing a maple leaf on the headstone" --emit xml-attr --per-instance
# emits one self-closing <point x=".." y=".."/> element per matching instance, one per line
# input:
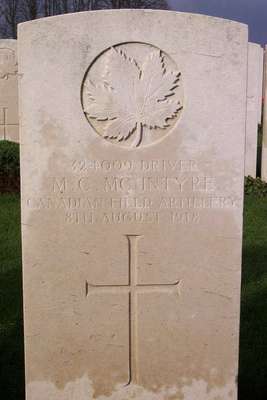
<point x="132" y="94"/>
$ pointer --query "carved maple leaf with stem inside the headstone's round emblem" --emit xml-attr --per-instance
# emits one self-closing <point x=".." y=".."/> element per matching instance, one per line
<point x="131" y="97"/>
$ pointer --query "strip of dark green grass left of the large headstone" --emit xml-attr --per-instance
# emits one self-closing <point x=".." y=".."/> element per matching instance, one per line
<point x="11" y="338"/>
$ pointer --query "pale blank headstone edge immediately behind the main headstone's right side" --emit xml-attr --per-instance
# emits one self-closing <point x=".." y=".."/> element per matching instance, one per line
<point x="254" y="106"/>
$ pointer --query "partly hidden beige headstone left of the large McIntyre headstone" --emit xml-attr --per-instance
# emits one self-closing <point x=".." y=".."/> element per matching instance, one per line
<point x="9" y="125"/>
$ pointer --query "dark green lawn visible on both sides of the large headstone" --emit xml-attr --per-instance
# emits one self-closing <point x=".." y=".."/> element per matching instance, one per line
<point x="253" y="337"/>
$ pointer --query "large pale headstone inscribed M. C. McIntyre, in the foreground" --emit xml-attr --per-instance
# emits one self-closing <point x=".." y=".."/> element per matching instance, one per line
<point x="133" y="130"/>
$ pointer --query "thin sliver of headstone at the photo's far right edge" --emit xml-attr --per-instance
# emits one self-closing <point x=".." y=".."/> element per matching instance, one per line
<point x="264" y="123"/>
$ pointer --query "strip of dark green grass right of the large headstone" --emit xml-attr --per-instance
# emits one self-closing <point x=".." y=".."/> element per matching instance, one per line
<point x="253" y="335"/>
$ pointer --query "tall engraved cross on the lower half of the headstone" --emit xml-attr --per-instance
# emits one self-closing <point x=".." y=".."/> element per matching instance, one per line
<point x="132" y="288"/>
